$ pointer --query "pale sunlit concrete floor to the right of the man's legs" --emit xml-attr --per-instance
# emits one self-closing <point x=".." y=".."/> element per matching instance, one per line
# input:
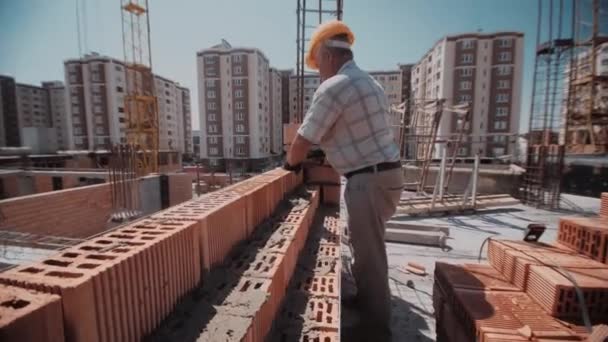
<point x="412" y="306"/>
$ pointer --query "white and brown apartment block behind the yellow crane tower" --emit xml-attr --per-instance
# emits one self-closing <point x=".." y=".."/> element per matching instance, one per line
<point x="96" y="86"/>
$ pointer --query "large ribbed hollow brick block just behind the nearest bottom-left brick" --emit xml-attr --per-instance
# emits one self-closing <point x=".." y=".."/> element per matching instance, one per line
<point x="119" y="285"/>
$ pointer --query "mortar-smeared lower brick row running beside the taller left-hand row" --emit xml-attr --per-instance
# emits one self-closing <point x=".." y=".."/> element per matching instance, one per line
<point x="240" y="300"/>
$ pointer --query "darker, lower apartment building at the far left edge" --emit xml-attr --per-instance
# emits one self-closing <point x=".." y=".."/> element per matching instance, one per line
<point x="32" y="115"/>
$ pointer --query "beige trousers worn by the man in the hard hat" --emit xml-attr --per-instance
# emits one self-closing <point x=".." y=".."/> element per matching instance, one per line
<point x="371" y="199"/>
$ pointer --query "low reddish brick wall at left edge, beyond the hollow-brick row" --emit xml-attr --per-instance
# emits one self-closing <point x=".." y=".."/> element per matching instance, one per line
<point x="78" y="212"/>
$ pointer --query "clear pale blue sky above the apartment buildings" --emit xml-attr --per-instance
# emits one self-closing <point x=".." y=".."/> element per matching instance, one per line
<point x="36" y="36"/>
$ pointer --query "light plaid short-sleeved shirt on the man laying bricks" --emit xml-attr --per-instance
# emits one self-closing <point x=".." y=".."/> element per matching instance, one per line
<point x="348" y="118"/>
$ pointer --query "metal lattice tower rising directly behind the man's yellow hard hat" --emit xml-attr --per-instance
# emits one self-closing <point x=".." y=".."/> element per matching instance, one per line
<point x="310" y="14"/>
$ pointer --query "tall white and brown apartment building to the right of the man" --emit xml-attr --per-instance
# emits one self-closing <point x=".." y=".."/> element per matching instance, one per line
<point x="482" y="70"/>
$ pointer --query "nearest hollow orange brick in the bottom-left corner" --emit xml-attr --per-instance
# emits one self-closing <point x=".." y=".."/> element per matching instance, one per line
<point x="27" y="315"/>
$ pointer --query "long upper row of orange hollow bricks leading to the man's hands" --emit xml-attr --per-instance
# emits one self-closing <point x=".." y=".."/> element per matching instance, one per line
<point x="121" y="284"/>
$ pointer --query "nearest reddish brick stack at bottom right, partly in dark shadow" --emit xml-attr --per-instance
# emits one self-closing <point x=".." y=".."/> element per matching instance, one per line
<point x="474" y="302"/>
